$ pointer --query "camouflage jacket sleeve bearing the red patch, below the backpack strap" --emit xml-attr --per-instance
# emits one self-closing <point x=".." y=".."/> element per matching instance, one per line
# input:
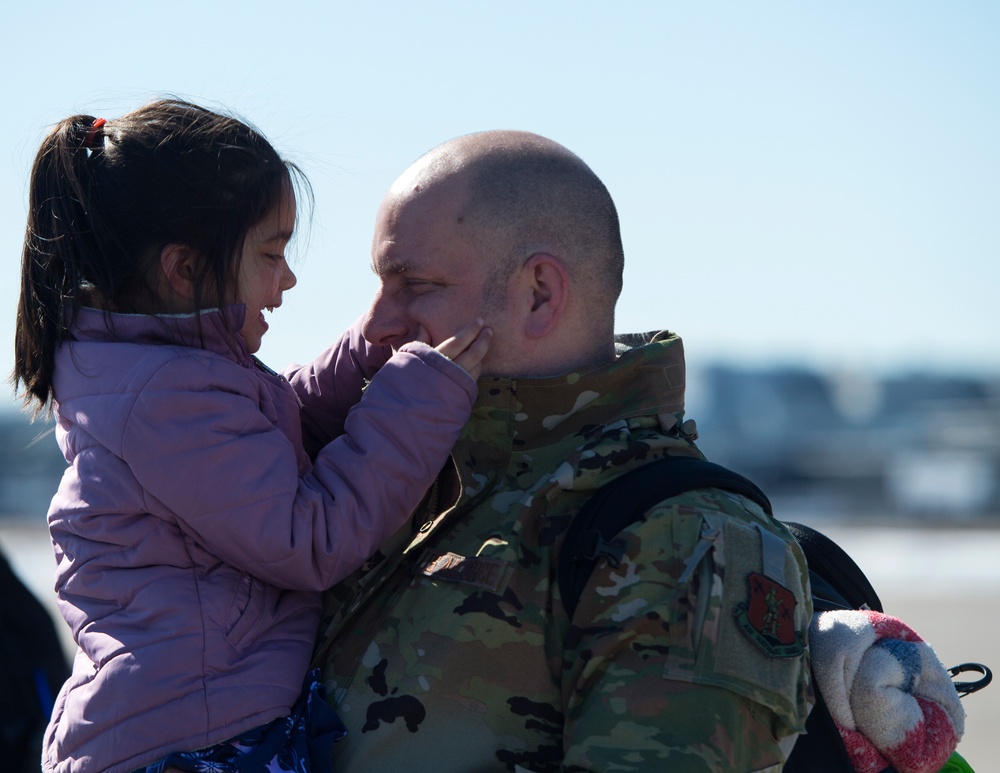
<point x="656" y="652"/>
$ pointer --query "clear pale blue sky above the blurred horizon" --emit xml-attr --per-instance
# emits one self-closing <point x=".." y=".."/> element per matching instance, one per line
<point x="796" y="181"/>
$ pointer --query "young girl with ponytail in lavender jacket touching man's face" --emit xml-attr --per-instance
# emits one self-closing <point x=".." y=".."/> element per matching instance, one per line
<point x="192" y="530"/>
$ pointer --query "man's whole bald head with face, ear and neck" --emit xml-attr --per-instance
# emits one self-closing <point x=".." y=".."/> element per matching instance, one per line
<point x="508" y="226"/>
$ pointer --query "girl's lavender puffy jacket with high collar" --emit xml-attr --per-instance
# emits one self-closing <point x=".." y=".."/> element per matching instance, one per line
<point x="193" y="534"/>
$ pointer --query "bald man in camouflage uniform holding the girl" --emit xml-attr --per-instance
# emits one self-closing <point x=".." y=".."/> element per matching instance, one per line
<point x="453" y="649"/>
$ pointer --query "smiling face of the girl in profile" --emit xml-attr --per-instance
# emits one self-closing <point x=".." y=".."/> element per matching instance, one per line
<point x="264" y="273"/>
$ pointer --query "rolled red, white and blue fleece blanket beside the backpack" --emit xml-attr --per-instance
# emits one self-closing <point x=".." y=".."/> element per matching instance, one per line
<point x="893" y="701"/>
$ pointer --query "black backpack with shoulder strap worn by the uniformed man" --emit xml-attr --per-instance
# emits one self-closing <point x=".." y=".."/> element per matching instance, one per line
<point x="837" y="582"/>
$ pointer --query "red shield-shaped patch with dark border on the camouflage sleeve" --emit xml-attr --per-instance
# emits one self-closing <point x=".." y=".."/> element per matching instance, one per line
<point x="768" y="617"/>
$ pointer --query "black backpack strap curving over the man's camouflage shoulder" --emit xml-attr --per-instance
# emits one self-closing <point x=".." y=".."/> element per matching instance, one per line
<point x="592" y="534"/>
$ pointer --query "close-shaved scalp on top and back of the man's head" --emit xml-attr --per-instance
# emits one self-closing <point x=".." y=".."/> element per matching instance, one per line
<point x="525" y="194"/>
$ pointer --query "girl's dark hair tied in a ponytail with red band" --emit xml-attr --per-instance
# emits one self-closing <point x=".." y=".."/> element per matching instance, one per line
<point x="106" y="198"/>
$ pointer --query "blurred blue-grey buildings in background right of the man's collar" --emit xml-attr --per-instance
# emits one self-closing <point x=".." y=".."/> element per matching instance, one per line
<point x="855" y="445"/>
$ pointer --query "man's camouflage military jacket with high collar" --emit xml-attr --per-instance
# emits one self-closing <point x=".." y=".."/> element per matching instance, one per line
<point x="454" y="653"/>
